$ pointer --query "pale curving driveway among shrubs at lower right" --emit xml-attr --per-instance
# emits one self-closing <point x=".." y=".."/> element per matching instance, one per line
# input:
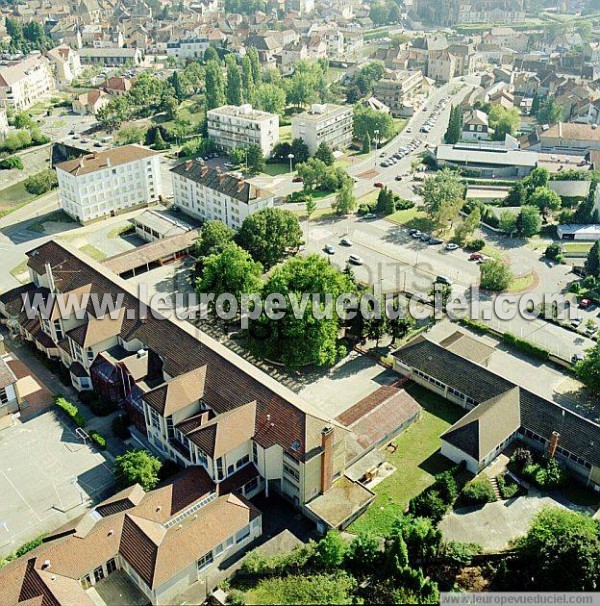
<point x="494" y="525"/>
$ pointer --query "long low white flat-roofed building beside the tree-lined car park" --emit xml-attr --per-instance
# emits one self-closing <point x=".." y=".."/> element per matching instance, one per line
<point x="488" y="160"/>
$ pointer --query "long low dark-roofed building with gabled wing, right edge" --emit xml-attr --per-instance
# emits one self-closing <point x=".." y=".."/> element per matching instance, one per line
<point x="499" y="412"/>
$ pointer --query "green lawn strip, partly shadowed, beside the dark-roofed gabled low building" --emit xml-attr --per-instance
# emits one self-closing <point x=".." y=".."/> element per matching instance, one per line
<point x="416" y="461"/>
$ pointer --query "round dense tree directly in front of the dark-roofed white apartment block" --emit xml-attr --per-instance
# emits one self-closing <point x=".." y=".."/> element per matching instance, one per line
<point x="269" y="234"/>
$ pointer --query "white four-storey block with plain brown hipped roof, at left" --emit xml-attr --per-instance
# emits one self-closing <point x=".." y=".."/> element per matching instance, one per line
<point x="104" y="183"/>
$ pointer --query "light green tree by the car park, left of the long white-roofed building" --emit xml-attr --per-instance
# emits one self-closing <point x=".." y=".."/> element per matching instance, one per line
<point x="443" y="196"/>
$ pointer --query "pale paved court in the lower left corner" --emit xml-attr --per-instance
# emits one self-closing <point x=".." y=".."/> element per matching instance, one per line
<point x="47" y="477"/>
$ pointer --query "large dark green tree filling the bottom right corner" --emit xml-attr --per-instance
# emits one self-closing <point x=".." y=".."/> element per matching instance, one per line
<point x="561" y="551"/>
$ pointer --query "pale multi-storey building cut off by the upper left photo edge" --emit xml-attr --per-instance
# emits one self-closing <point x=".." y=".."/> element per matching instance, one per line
<point x="25" y="82"/>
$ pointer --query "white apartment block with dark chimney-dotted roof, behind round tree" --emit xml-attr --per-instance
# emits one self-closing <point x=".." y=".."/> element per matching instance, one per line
<point x="207" y="194"/>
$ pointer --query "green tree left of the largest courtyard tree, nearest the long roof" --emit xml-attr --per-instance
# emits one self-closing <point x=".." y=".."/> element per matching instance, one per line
<point x="231" y="271"/>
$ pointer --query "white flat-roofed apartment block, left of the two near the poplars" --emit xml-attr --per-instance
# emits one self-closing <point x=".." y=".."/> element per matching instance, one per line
<point x="231" y="126"/>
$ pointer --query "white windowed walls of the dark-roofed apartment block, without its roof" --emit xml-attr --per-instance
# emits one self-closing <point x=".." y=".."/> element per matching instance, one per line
<point x="208" y="203"/>
